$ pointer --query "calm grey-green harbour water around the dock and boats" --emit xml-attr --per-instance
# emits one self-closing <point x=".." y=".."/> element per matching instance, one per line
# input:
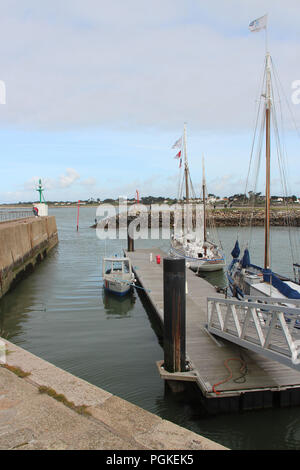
<point x="61" y="314"/>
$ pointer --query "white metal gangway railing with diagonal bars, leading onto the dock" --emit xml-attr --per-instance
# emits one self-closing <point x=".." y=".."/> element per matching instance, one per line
<point x="263" y="325"/>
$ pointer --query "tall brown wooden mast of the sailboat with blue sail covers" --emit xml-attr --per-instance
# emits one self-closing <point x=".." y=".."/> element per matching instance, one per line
<point x="268" y="158"/>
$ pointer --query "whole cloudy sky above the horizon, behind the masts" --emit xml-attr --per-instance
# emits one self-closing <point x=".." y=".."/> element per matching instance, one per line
<point x="97" y="92"/>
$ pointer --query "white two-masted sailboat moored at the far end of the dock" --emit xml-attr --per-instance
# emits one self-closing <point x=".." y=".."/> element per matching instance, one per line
<point x="200" y="253"/>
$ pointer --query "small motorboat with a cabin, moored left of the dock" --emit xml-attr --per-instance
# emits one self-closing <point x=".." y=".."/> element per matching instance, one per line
<point x="118" y="277"/>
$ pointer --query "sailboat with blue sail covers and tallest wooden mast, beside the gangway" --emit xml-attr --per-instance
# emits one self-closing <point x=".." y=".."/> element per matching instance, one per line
<point x="244" y="277"/>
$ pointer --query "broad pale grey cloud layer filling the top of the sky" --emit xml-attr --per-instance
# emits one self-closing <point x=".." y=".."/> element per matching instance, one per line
<point x="137" y="64"/>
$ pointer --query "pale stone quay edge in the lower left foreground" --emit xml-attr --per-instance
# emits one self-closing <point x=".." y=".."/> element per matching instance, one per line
<point x="35" y="421"/>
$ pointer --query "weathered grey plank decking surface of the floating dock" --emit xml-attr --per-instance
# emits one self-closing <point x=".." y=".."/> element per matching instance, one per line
<point x="206" y="353"/>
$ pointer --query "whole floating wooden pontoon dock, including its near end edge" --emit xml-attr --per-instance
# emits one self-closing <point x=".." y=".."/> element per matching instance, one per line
<point x="263" y="383"/>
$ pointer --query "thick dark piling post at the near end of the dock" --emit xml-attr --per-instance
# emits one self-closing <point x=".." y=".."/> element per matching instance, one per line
<point x="174" y="315"/>
